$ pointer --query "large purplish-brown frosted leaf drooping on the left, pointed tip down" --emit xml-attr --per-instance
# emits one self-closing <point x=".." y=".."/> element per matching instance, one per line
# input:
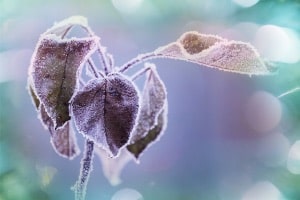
<point x="54" y="70"/>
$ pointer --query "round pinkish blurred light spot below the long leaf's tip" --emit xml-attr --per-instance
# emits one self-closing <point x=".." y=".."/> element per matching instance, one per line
<point x="263" y="111"/>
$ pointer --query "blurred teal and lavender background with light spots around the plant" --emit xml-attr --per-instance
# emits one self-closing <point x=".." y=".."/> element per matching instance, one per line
<point x="229" y="136"/>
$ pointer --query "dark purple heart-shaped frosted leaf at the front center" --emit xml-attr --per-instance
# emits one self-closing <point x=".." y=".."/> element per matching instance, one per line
<point x="105" y="111"/>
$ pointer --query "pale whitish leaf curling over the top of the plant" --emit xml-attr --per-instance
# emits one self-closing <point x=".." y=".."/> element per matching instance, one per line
<point x="62" y="27"/>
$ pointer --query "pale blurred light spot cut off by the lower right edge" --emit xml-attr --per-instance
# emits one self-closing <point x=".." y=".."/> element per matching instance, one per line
<point x="293" y="162"/>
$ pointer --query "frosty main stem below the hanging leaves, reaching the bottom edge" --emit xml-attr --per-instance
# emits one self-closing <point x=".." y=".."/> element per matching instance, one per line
<point x="85" y="170"/>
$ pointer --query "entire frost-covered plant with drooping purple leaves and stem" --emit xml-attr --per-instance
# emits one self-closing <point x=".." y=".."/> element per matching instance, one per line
<point x="116" y="120"/>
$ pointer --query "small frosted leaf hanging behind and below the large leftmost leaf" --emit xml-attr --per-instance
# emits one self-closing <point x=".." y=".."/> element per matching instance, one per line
<point x="63" y="139"/>
